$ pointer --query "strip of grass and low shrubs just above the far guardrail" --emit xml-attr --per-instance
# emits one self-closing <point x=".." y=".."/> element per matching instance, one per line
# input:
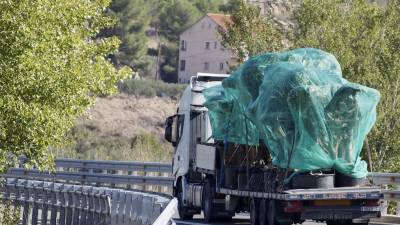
<point x="87" y="142"/>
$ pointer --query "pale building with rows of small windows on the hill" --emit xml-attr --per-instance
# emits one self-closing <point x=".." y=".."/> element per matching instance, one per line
<point x="200" y="48"/>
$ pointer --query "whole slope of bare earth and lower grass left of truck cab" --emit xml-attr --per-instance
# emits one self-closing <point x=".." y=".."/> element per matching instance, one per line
<point x="122" y="127"/>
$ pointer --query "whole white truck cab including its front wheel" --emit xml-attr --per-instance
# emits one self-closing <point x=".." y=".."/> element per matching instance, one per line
<point x="185" y="130"/>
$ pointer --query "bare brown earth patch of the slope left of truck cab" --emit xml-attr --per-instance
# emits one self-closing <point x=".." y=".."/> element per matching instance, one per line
<point x="128" y="116"/>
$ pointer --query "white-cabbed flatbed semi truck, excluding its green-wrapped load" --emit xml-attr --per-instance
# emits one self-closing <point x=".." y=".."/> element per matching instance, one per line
<point x="221" y="179"/>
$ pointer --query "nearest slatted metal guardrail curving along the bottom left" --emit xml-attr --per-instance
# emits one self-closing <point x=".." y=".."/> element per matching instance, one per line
<point x="41" y="202"/>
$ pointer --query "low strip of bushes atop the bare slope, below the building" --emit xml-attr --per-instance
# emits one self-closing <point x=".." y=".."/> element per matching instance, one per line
<point x="151" y="88"/>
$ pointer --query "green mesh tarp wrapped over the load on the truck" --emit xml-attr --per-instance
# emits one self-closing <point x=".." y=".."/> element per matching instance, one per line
<point x="299" y="104"/>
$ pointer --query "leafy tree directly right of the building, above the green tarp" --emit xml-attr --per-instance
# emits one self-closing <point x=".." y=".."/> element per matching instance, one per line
<point x="249" y="33"/>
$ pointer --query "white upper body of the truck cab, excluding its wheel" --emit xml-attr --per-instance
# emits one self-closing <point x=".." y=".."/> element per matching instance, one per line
<point x="191" y="124"/>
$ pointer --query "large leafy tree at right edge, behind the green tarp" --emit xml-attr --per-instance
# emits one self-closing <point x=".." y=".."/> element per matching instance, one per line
<point x="365" y="38"/>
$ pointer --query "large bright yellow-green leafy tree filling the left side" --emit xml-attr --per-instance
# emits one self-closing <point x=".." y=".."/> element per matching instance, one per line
<point x="50" y="69"/>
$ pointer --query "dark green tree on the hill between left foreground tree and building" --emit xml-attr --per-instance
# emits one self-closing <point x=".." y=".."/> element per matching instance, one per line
<point x="133" y="21"/>
